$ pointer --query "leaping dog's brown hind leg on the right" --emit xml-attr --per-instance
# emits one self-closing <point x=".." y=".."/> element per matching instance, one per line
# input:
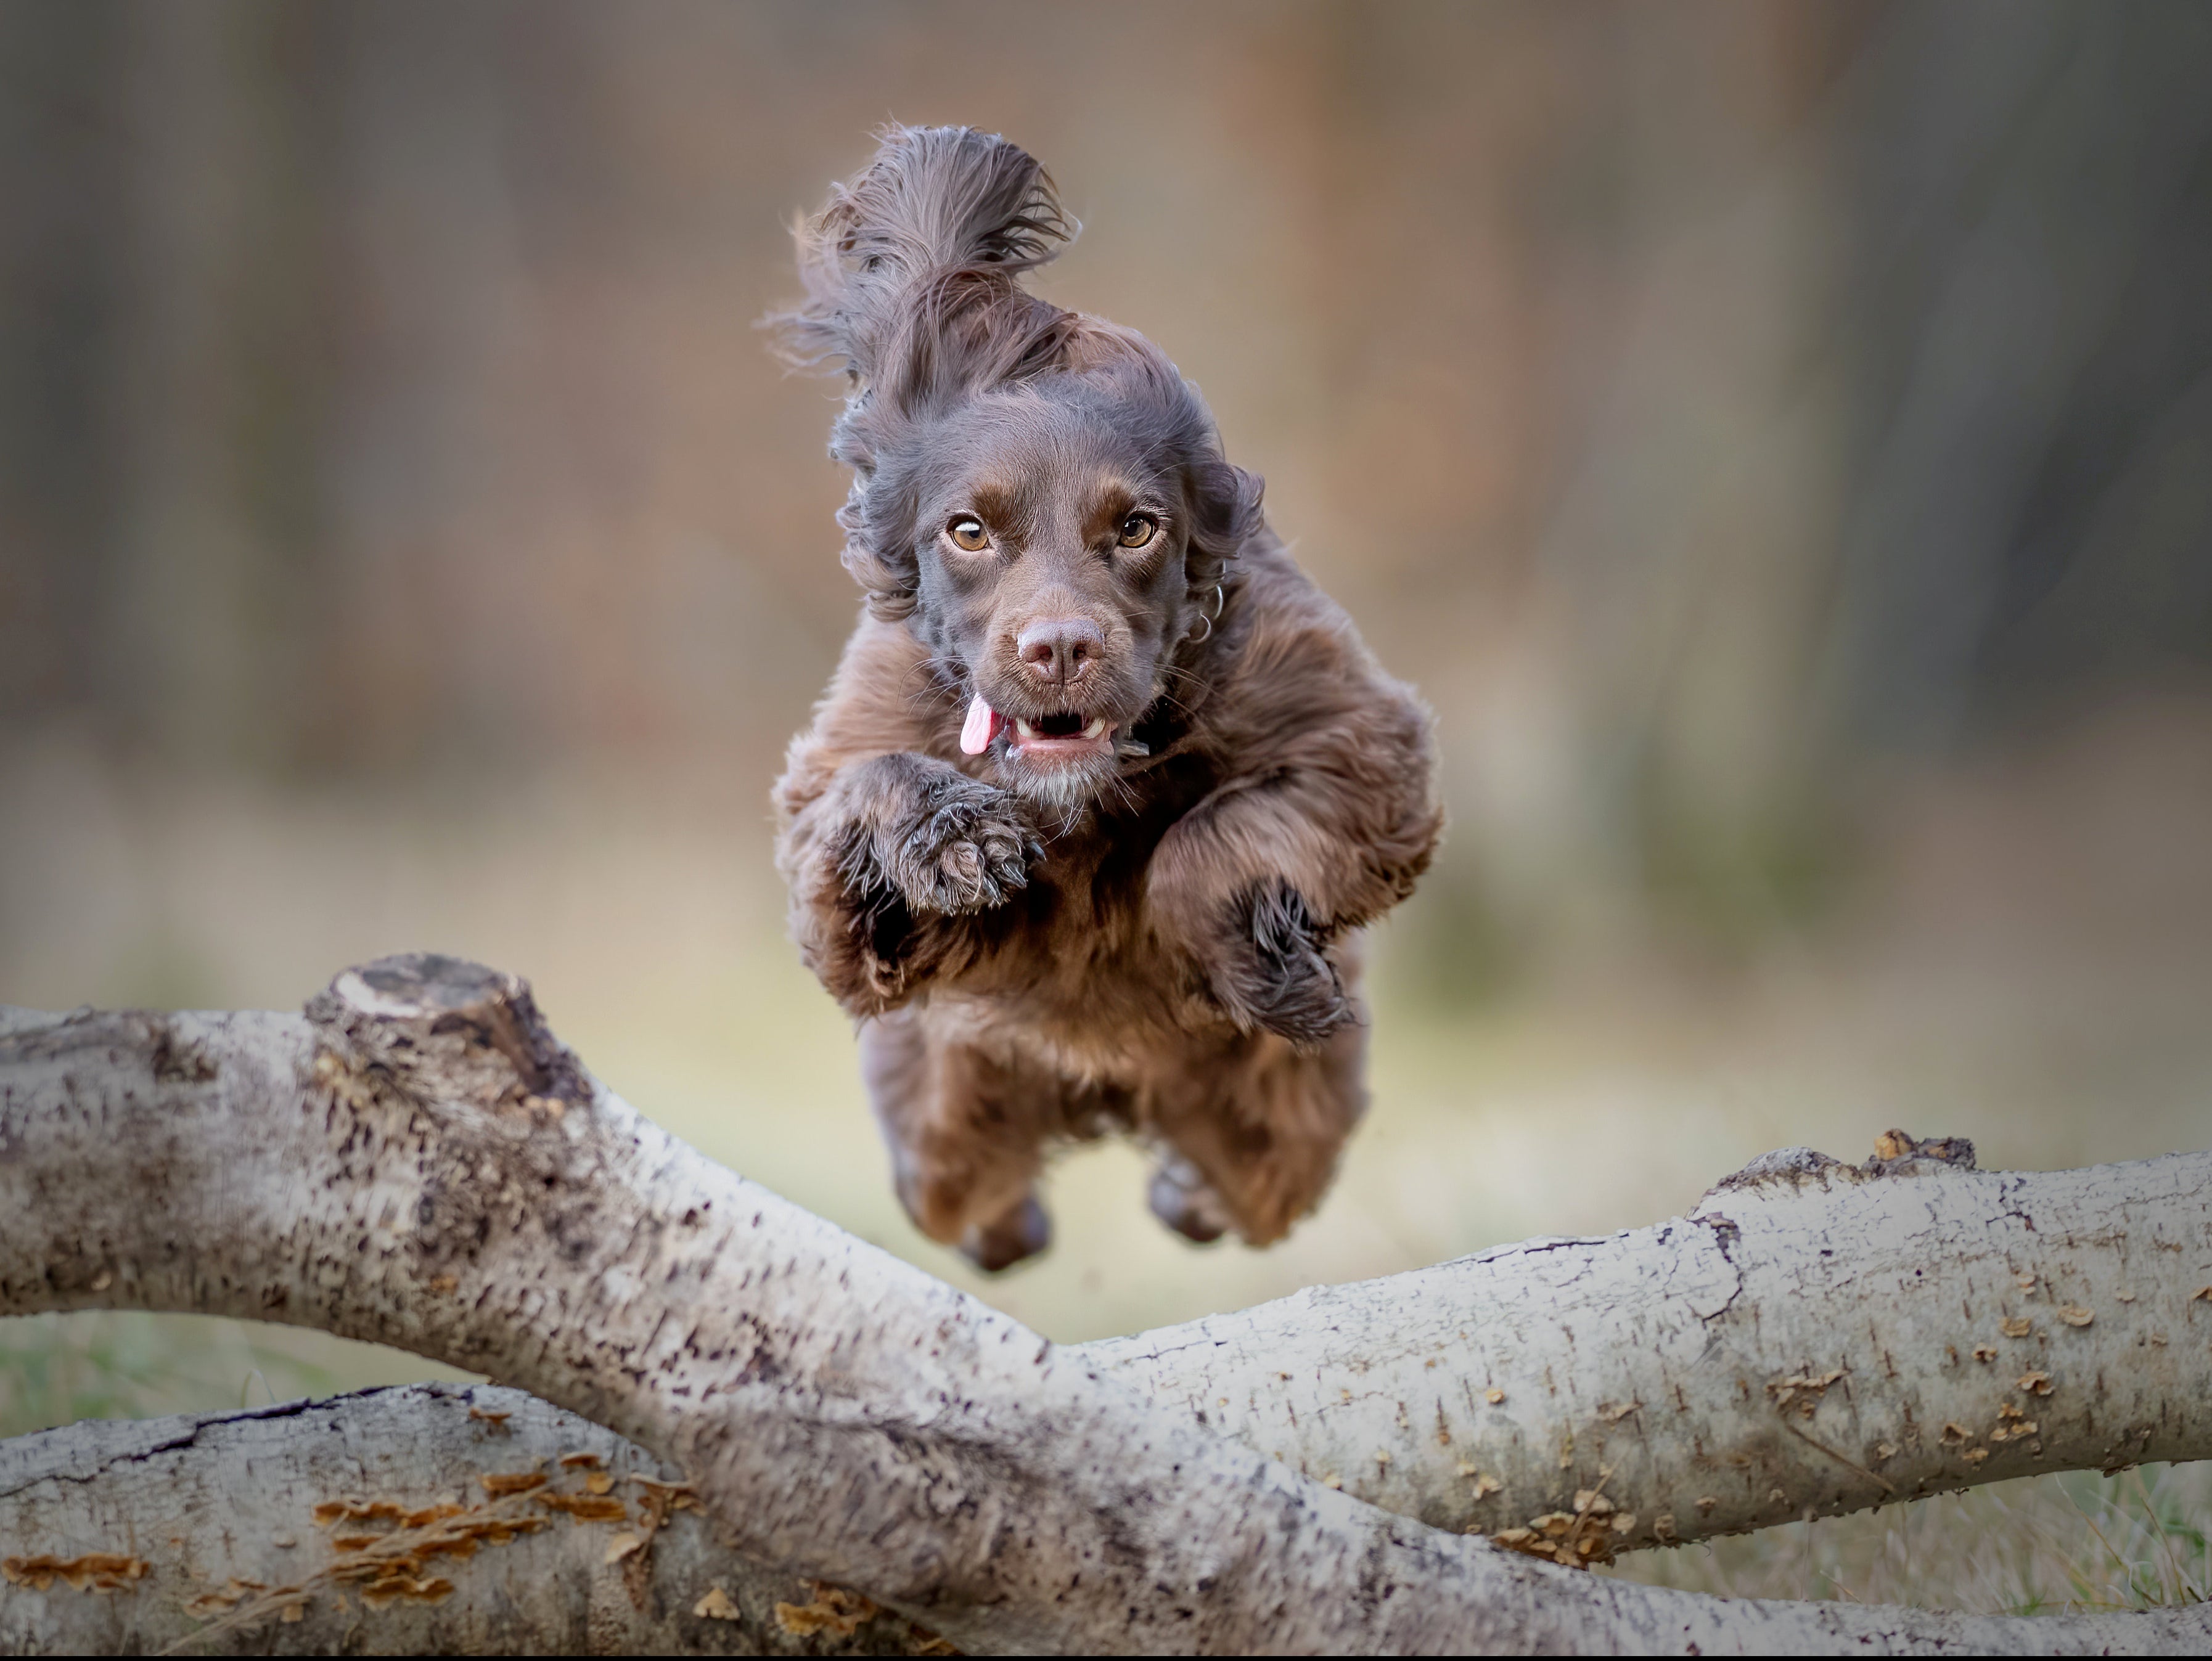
<point x="1255" y="1136"/>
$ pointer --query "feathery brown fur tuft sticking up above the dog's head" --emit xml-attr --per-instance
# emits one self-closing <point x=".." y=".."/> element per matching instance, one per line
<point x="912" y="273"/>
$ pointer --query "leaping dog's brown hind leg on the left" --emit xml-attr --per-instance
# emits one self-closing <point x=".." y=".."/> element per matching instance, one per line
<point x="968" y="1138"/>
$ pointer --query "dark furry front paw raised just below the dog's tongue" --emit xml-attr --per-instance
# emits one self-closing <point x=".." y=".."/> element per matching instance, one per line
<point x="961" y="846"/>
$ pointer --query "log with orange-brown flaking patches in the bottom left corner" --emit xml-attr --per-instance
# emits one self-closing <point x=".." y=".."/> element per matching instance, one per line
<point x="222" y="1532"/>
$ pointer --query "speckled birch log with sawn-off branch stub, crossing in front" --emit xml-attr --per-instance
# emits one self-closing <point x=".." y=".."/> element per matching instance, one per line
<point x="426" y="1167"/>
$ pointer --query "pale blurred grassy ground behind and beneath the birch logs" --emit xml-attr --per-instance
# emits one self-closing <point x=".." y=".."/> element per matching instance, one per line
<point x="2003" y="974"/>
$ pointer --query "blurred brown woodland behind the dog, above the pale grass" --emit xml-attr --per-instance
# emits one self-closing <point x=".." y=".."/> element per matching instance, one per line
<point x="1702" y="404"/>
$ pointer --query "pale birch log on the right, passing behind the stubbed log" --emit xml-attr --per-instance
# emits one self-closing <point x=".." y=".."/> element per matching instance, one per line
<point x="1813" y="1339"/>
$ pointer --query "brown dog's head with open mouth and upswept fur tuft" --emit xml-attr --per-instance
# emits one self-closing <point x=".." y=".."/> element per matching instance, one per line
<point x="1041" y="497"/>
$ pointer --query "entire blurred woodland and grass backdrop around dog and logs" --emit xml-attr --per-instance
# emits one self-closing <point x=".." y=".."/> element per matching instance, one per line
<point x="1775" y="439"/>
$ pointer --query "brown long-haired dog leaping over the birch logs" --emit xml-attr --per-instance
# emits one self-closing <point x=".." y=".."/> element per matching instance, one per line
<point x="1103" y="788"/>
